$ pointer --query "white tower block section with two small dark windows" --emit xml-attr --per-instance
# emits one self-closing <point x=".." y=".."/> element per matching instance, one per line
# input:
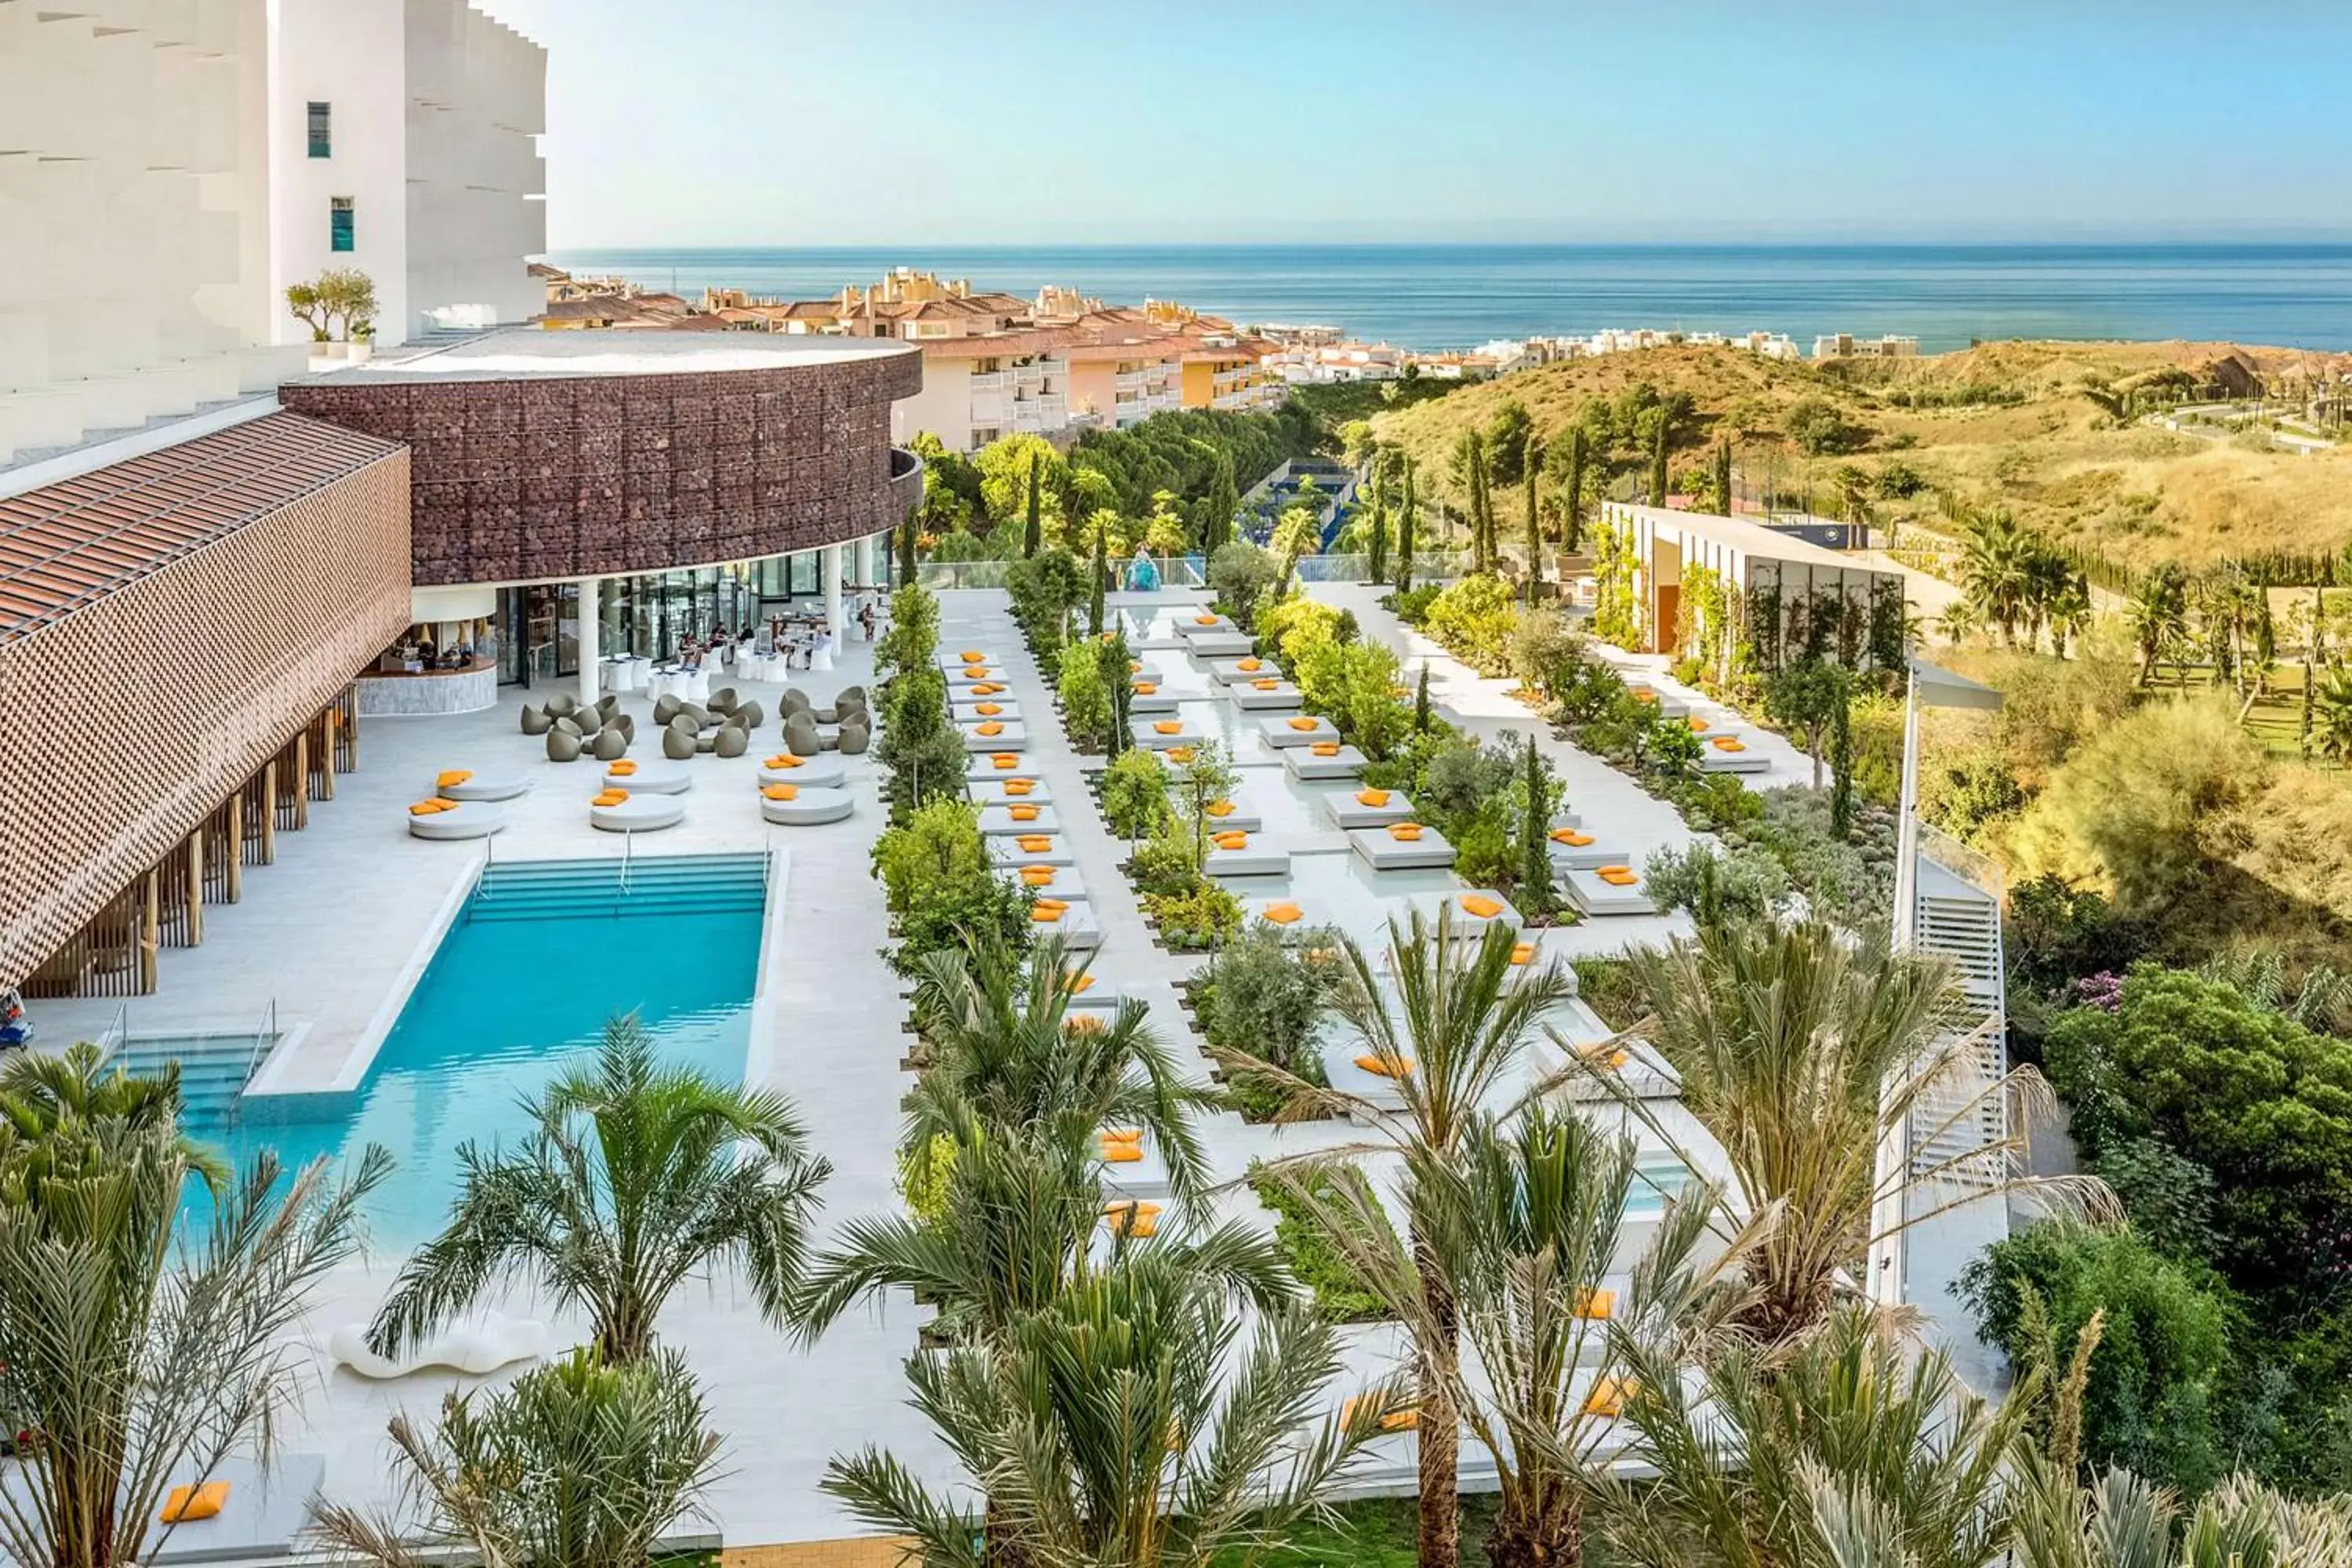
<point x="403" y="145"/>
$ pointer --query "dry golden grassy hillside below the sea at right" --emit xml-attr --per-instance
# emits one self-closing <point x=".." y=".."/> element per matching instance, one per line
<point x="2003" y="424"/>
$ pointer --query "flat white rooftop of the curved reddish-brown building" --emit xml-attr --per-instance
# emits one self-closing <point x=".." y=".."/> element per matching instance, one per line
<point x="533" y="354"/>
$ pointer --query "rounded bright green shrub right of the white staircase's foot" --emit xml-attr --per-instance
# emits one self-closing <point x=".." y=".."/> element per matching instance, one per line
<point x="2151" y="1395"/>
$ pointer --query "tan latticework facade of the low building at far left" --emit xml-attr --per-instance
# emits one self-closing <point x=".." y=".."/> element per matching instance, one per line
<point x="138" y="713"/>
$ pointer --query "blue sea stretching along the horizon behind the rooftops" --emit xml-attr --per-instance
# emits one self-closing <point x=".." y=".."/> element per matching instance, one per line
<point x="1466" y="295"/>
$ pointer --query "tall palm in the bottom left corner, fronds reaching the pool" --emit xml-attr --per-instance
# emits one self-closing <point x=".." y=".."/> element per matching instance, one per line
<point x="147" y="1365"/>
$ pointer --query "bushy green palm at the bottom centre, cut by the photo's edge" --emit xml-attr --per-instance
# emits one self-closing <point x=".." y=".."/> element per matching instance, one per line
<point x="1123" y="1426"/>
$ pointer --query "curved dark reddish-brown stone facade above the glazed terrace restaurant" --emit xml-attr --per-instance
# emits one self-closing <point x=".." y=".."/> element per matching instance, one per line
<point x="544" y="478"/>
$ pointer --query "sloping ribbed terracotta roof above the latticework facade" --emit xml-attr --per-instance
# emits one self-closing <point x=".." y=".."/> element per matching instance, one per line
<point x="76" y="542"/>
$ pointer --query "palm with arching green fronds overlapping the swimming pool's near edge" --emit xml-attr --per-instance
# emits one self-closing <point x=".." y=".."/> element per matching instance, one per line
<point x="634" y="1179"/>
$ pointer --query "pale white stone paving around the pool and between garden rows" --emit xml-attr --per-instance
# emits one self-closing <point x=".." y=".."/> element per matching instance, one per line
<point x="335" y="932"/>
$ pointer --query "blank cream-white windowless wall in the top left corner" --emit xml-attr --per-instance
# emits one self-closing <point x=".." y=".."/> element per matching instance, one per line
<point x="133" y="217"/>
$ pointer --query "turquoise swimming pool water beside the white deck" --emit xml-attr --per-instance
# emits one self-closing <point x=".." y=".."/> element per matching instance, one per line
<point x="521" y="989"/>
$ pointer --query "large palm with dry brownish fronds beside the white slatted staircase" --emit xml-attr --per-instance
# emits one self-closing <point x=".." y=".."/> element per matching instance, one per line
<point x="1800" y="1054"/>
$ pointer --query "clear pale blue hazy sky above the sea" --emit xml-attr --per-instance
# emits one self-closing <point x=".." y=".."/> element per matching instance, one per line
<point x="996" y="123"/>
